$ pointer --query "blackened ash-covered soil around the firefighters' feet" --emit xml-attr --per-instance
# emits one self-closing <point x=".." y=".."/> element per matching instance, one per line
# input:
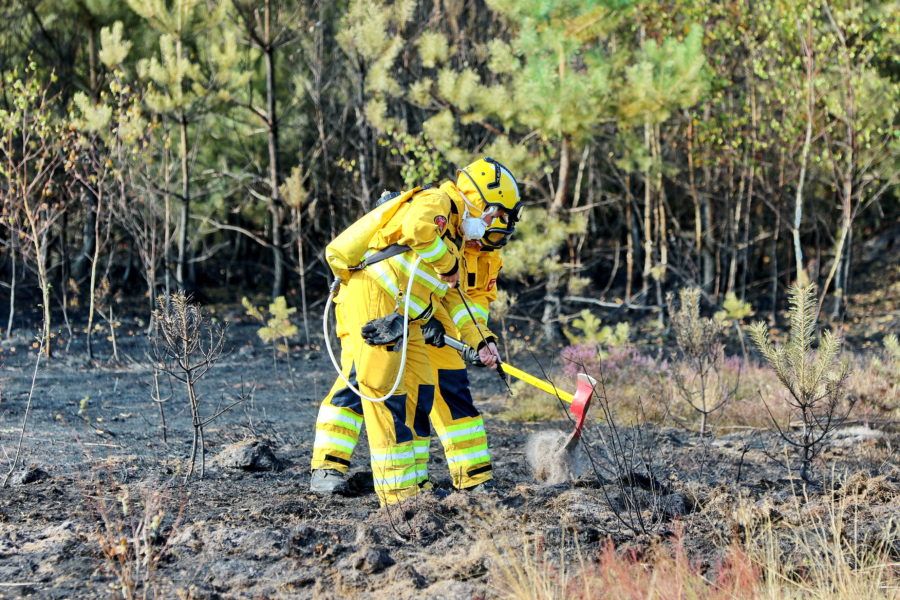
<point x="94" y="459"/>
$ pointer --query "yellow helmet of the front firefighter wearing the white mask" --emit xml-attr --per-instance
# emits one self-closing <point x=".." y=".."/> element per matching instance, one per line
<point x="488" y="184"/>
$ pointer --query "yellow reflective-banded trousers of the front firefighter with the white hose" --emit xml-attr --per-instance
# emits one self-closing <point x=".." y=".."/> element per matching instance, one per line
<point x="373" y="370"/>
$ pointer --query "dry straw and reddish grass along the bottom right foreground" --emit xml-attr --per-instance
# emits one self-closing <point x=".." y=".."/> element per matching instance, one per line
<point x="817" y="554"/>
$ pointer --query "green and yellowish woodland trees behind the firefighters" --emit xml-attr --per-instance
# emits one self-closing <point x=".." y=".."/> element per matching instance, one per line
<point x="658" y="143"/>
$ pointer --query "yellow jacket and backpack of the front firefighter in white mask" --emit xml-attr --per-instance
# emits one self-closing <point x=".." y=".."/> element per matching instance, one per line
<point x="426" y="220"/>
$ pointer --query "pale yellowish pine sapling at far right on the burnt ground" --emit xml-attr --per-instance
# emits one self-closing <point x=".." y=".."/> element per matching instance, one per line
<point x="815" y="379"/>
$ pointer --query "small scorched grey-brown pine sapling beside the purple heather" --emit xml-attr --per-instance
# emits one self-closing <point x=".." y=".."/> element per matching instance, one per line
<point x="699" y="376"/>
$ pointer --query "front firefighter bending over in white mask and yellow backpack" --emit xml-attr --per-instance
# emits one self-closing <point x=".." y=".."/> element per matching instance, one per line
<point x="429" y="223"/>
